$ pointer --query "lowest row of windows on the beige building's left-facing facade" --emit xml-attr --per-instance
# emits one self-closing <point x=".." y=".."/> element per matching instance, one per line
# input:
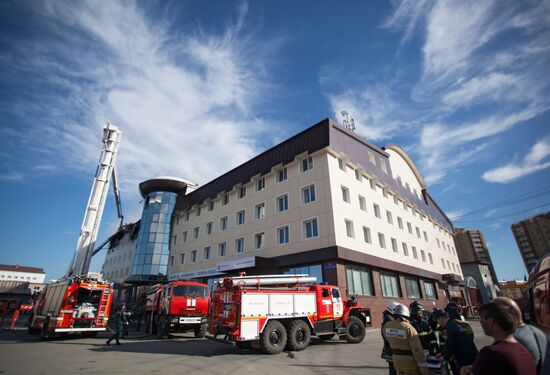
<point x="310" y="230"/>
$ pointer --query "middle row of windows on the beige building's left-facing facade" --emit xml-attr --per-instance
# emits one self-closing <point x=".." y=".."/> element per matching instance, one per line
<point x="281" y="205"/>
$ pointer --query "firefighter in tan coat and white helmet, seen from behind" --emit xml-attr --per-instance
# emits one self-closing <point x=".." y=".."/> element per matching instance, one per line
<point x="408" y="355"/>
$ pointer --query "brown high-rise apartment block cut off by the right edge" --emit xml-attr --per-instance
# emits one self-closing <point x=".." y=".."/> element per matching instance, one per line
<point x="533" y="238"/>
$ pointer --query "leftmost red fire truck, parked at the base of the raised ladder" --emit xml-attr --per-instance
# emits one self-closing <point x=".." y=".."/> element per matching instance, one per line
<point x="72" y="305"/>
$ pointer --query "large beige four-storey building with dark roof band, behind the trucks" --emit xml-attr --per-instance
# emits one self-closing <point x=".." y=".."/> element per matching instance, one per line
<point x="327" y="203"/>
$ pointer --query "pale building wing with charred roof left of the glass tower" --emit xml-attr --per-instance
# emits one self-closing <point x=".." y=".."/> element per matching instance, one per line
<point x="120" y="253"/>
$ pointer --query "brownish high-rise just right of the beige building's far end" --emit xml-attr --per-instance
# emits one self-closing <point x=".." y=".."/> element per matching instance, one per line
<point x="475" y="261"/>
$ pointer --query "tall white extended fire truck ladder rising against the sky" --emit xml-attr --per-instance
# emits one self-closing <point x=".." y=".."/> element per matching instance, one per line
<point x="96" y="202"/>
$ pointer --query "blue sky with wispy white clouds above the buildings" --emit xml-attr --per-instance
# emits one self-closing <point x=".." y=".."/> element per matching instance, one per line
<point x="199" y="87"/>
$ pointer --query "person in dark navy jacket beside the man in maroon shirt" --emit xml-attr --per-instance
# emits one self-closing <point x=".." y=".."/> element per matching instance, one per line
<point x="459" y="349"/>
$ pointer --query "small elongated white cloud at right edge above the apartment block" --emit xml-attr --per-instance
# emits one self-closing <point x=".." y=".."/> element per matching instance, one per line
<point x="533" y="162"/>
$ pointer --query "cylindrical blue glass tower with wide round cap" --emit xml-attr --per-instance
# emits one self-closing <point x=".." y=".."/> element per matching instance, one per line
<point x="150" y="262"/>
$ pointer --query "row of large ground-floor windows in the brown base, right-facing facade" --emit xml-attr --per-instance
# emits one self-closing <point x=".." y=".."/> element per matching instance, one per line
<point x="359" y="280"/>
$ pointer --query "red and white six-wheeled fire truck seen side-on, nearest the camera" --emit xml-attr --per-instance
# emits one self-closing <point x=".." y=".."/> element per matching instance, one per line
<point x="274" y="312"/>
